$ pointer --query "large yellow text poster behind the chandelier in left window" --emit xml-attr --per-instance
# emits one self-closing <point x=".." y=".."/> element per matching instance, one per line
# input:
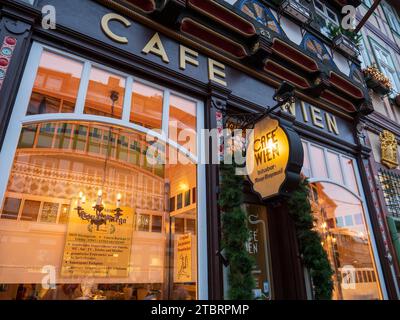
<point x="97" y="251"/>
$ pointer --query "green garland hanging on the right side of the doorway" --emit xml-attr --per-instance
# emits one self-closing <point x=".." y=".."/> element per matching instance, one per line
<point x="314" y="256"/>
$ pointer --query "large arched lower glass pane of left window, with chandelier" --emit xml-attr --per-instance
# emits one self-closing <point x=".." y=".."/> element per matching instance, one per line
<point x="150" y="253"/>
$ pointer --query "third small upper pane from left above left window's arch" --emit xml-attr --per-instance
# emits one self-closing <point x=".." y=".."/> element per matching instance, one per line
<point x="147" y="106"/>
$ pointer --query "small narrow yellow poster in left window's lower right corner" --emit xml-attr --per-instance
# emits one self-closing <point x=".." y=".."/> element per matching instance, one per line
<point x="183" y="262"/>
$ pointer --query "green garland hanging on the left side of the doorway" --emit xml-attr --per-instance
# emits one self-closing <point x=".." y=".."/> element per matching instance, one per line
<point x="235" y="234"/>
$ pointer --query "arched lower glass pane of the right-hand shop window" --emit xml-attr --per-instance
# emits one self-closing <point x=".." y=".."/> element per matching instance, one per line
<point x="346" y="243"/>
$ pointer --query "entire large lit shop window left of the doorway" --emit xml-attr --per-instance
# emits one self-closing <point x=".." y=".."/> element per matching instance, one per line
<point x="96" y="158"/>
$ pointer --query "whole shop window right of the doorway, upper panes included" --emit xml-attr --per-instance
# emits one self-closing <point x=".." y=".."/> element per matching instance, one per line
<point x="341" y="219"/>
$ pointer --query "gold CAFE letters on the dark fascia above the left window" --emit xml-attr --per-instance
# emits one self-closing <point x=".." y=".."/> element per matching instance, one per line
<point x="155" y="46"/>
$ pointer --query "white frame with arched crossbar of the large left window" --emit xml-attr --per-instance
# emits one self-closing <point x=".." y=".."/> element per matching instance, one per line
<point x="19" y="118"/>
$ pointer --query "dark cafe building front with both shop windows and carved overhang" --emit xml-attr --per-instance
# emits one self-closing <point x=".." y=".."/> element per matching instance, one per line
<point x="86" y="88"/>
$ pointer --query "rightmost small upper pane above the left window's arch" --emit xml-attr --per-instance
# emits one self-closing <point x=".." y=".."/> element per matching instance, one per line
<point x="182" y="122"/>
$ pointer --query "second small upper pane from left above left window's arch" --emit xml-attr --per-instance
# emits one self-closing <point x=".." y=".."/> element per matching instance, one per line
<point x="105" y="95"/>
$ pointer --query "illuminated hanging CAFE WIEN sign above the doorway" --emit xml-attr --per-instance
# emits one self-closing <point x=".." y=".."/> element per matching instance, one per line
<point x="274" y="157"/>
